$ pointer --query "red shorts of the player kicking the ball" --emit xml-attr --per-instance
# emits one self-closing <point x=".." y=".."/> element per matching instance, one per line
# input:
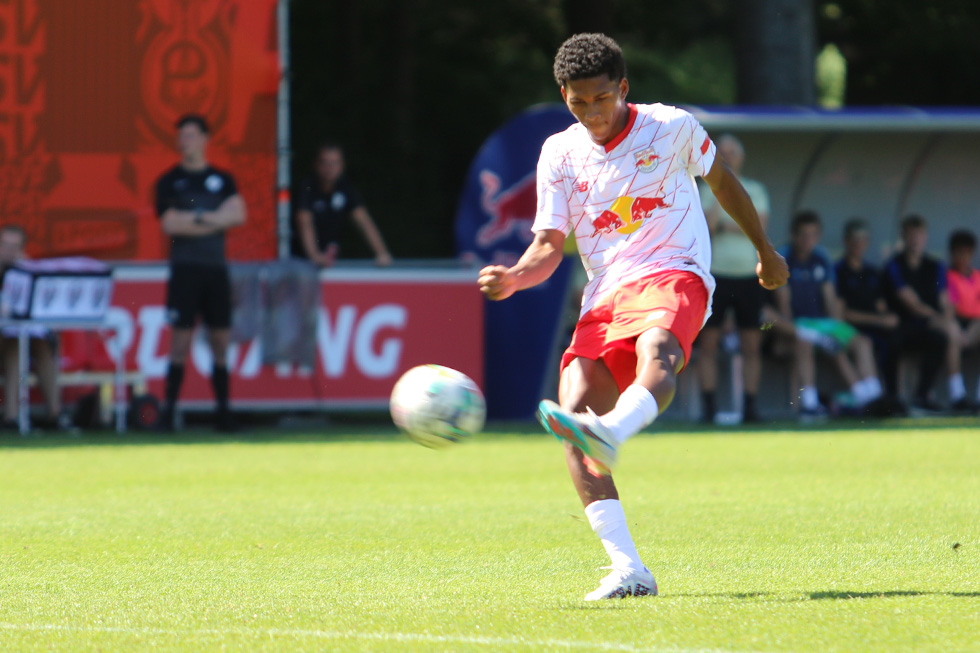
<point x="675" y="300"/>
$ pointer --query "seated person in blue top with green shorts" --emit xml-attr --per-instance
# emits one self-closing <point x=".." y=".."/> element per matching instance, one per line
<point x="810" y="311"/>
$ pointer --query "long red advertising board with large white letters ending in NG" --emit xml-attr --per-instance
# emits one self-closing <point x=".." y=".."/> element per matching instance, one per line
<point x="371" y="326"/>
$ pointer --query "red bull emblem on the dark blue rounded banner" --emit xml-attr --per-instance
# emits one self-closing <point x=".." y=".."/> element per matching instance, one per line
<point x="511" y="210"/>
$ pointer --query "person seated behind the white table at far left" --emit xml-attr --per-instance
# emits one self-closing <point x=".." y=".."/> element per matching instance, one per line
<point x="43" y="346"/>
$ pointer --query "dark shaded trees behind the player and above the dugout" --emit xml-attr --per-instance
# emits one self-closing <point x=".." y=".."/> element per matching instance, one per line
<point x="412" y="88"/>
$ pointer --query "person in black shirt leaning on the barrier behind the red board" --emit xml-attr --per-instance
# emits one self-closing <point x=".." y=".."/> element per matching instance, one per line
<point x="327" y="202"/>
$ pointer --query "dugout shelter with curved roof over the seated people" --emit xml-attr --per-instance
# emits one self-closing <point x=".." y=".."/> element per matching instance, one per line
<point x="880" y="164"/>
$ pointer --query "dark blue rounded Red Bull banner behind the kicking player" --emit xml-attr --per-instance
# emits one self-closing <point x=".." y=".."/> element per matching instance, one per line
<point x="493" y="225"/>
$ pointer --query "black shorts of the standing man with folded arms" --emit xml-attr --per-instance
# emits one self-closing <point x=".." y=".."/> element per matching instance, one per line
<point x="199" y="290"/>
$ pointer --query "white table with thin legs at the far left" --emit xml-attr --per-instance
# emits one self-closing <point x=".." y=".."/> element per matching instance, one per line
<point x="23" y="329"/>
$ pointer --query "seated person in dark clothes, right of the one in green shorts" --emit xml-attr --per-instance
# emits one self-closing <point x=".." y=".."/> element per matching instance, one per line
<point x="859" y="287"/>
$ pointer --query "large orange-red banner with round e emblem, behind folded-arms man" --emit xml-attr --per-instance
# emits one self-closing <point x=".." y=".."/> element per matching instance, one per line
<point x="89" y="93"/>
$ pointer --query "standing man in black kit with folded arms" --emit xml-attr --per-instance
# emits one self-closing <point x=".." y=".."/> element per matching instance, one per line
<point x="196" y="204"/>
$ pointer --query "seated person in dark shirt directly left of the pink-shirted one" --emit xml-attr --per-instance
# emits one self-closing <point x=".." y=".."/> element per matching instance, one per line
<point x="915" y="286"/>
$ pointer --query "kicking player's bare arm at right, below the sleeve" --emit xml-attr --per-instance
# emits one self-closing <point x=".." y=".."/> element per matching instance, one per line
<point x="772" y="269"/>
